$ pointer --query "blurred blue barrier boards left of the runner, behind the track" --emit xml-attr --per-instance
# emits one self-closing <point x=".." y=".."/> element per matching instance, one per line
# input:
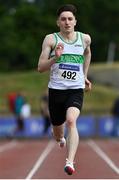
<point x="33" y="127"/>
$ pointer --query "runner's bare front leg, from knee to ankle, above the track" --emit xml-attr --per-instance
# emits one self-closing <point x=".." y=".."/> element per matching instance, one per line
<point x="72" y="137"/>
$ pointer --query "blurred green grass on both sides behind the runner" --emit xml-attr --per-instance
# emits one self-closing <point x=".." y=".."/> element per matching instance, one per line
<point x="32" y="84"/>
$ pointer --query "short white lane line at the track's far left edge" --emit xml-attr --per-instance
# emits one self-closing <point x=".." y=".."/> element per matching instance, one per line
<point x="7" y="146"/>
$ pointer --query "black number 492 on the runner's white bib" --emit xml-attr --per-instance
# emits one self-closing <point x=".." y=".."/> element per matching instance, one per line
<point x="70" y="75"/>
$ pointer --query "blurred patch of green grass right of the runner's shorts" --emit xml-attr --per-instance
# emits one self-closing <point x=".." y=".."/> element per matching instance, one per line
<point x="100" y="100"/>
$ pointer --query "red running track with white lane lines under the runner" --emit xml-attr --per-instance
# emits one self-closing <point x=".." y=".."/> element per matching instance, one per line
<point x="44" y="159"/>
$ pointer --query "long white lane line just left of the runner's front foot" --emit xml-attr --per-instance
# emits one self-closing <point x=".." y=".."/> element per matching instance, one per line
<point x="40" y="160"/>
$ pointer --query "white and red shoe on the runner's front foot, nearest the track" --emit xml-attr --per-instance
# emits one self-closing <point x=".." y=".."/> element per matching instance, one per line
<point x="69" y="167"/>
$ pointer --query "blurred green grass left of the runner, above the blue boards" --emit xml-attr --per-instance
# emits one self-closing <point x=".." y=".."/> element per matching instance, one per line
<point x="31" y="84"/>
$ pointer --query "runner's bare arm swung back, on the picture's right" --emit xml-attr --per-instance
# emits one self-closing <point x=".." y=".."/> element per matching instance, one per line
<point x="87" y="56"/>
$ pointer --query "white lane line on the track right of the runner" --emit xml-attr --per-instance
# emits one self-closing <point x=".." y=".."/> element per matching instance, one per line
<point x="102" y="154"/>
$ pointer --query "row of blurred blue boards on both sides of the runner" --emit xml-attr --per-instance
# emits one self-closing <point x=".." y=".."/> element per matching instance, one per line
<point x="88" y="126"/>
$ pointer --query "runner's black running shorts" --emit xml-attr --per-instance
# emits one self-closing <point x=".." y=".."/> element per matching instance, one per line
<point x="61" y="100"/>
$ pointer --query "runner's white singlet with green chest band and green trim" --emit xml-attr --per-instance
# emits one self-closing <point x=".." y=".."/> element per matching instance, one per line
<point x="67" y="72"/>
